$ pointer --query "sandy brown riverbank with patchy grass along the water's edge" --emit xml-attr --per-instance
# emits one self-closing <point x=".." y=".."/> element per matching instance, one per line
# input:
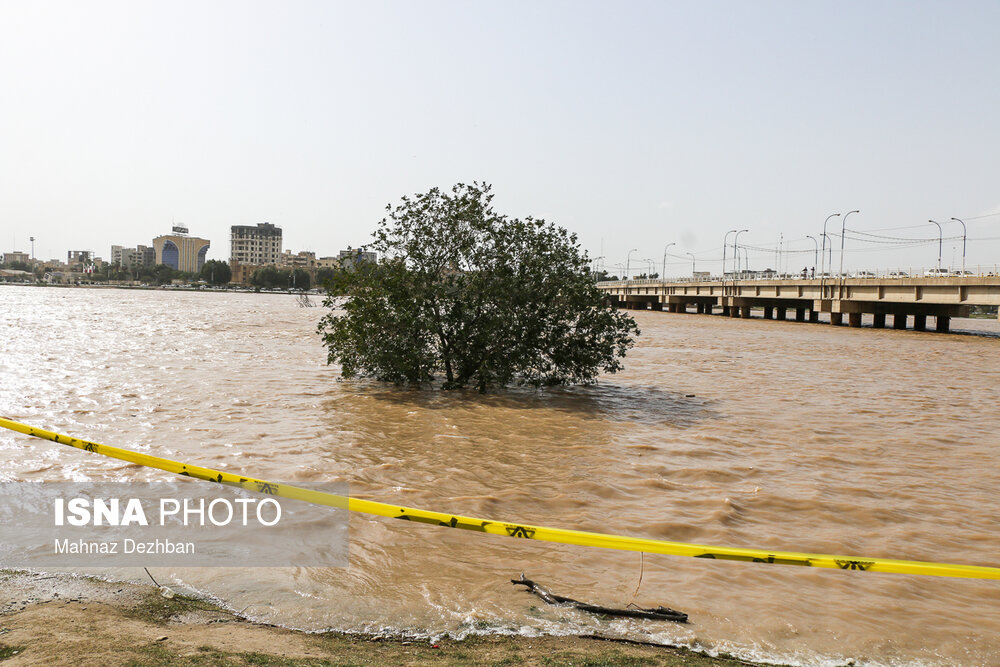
<point x="48" y="619"/>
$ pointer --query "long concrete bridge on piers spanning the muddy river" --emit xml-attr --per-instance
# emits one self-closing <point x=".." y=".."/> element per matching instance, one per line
<point x="902" y="299"/>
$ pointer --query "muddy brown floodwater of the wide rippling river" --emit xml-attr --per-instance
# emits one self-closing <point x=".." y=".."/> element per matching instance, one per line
<point x="777" y="435"/>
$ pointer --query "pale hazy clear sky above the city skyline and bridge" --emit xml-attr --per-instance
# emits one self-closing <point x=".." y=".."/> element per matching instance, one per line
<point x="633" y="124"/>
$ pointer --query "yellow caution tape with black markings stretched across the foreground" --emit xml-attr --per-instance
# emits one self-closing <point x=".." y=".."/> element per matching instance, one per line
<point x="559" y="535"/>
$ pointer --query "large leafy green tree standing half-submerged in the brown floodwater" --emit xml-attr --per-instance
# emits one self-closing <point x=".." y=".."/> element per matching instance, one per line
<point x="481" y="298"/>
